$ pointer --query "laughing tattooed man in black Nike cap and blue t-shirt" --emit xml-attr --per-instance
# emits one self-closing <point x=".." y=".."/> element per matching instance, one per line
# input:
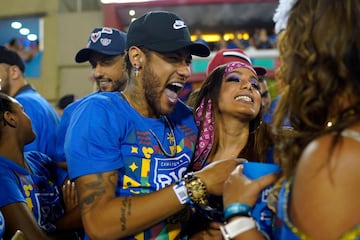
<point x="129" y="154"/>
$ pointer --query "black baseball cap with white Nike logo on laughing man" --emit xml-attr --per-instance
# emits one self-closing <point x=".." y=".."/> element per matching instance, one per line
<point x="163" y="31"/>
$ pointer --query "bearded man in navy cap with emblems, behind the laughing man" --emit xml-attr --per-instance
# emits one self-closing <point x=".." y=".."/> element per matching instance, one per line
<point x="105" y="52"/>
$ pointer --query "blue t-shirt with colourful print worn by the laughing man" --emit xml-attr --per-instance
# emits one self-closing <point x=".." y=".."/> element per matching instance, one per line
<point x="107" y="134"/>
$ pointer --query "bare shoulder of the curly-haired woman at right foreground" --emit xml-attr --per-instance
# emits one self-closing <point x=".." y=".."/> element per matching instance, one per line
<point x="327" y="176"/>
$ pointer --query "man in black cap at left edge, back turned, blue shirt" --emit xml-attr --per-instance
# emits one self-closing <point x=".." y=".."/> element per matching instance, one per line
<point x="42" y="114"/>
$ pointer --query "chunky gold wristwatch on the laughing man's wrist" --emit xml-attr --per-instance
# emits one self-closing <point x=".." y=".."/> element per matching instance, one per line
<point x="196" y="189"/>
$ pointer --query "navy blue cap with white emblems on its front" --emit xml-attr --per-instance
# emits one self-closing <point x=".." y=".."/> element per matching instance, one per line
<point x="108" y="41"/>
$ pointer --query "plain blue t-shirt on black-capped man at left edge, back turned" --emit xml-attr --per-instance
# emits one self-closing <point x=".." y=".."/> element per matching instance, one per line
<point x="44" y="120"/>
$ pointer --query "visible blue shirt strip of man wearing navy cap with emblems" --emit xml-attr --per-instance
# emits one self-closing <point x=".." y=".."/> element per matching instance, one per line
<point x="62" y="128"/>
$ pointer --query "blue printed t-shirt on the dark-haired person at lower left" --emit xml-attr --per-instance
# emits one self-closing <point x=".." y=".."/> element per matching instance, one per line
<point x="40" y="190"/>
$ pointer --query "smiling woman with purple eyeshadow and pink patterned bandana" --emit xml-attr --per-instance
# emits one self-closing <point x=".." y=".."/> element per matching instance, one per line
<point x="228" y="115"/>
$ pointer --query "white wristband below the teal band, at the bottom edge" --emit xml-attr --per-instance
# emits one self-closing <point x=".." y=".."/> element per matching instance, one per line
<point x="236" y="227"/>
